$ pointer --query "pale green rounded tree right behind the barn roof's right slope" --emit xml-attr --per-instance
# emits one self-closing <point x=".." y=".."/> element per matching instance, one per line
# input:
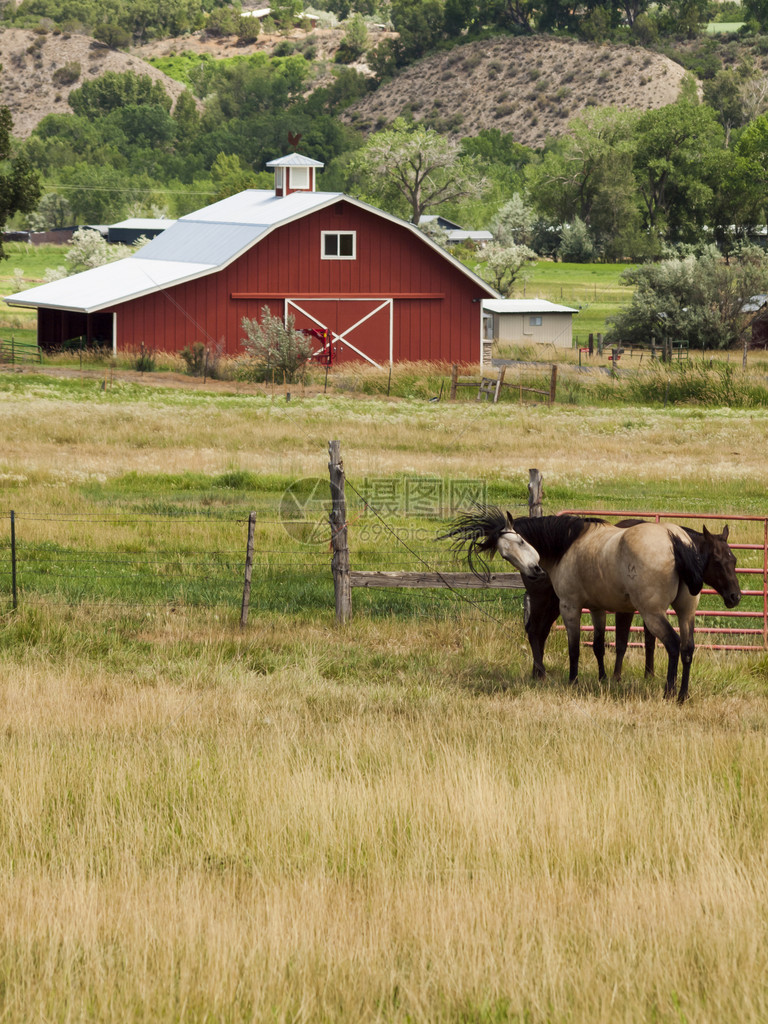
<point x="412" y="169"/>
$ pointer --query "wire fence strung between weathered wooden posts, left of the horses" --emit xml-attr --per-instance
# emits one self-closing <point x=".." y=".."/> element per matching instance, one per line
<point x="200" y="560"/>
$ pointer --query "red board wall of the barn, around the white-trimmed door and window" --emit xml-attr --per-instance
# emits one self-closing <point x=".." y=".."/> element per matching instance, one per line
<point x="391" y="262"/>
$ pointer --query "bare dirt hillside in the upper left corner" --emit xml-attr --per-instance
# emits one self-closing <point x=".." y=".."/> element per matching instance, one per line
<point x="28" y="82"/>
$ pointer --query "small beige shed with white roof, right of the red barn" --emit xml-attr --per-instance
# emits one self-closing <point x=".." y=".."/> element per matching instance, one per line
<point x="526" y="322"/>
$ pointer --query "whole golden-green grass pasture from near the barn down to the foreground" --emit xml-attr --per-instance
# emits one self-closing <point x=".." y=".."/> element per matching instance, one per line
<point x="385" y="823"/>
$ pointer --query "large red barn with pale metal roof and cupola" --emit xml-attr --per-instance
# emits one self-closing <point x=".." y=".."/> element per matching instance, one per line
<point x="381" y="289"/>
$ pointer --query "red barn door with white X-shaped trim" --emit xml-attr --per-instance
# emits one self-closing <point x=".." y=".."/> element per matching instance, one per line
<point x="359" y="329"/>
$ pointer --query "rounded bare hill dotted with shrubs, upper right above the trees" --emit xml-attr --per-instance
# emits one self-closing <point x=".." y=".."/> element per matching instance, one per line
<point x="528" y="87"/>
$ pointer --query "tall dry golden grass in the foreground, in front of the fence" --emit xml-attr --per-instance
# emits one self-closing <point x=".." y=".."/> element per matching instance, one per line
<point x="191" y="838"/>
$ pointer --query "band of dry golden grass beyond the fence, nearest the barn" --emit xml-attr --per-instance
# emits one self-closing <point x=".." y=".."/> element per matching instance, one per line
<point x="89" y="437"/>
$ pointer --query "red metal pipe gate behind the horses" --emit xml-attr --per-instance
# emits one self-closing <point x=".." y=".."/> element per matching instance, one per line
<point x="745" y="628"/>
